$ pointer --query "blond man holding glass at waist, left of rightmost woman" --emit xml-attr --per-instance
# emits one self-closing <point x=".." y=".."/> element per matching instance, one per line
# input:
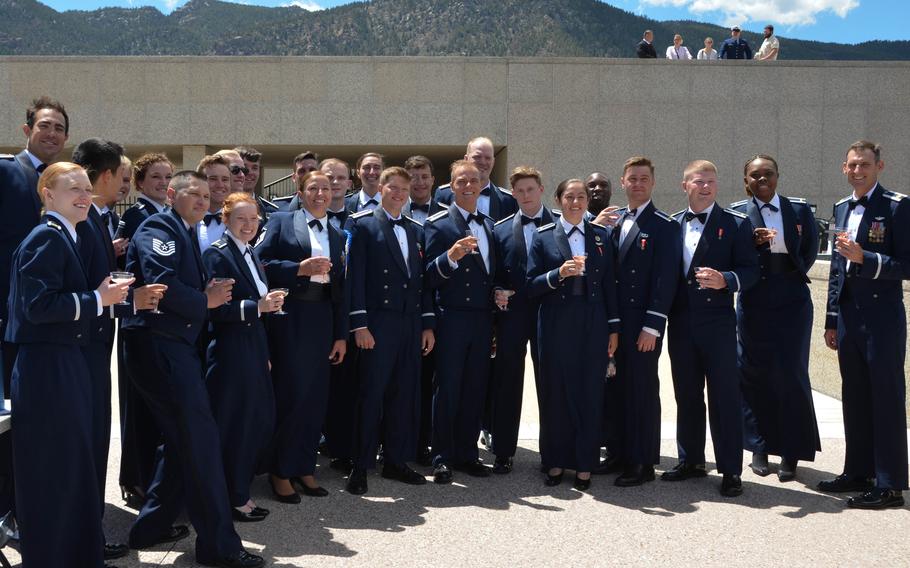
<point x="718" y="260"/>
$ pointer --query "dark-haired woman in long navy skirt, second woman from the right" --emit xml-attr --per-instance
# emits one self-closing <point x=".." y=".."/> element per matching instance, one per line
<point x="571" y="272"/>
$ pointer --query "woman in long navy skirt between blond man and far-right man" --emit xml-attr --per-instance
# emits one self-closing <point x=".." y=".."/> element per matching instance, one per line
<point x="775" y="325"/>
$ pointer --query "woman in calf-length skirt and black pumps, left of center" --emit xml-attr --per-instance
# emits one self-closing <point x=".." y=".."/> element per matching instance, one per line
<point x="305" y="254"/>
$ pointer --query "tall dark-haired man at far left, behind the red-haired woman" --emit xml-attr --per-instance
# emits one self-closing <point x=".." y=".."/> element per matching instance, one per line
<point x="46" y="130"/>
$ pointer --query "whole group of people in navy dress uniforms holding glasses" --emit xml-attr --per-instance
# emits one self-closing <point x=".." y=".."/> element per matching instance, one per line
<point x="362" y="324"/>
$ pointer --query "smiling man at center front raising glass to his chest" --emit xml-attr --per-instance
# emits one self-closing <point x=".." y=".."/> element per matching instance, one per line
<point x="460" y="263"/>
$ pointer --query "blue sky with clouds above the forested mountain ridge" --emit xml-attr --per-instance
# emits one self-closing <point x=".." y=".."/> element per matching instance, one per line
<point x="842" y="21"/>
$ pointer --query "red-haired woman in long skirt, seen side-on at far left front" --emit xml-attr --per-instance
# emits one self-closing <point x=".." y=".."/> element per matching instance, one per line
<point x="51" y="308"/>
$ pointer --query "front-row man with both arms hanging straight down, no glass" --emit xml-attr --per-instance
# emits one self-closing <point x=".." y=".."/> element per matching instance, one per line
<point x="392" y="320"/>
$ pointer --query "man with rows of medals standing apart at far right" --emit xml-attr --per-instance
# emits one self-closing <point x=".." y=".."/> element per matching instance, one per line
<point x="867" y="325"/>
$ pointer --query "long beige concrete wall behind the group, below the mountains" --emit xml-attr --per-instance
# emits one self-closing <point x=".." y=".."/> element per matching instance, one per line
<point x="565" y="116"/>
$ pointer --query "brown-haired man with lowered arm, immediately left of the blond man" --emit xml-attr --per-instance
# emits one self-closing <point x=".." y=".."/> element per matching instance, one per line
<point x="648" y="257"/>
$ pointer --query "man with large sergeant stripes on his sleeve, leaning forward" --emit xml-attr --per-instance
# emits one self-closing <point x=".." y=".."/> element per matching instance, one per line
<point x="167" y="371"/>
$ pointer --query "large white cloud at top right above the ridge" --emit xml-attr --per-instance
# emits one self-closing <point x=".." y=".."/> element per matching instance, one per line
<point x="785" y="12"/>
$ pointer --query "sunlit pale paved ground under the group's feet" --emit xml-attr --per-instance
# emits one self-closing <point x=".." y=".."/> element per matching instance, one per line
<point x="515" y="521"/>
